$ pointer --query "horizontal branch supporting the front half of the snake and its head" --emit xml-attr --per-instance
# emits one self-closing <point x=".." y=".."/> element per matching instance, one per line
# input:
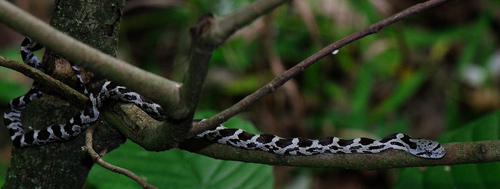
<point x="456" y="153"/>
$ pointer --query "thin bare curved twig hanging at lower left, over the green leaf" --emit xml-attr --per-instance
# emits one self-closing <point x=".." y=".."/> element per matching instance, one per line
<point x="97" y="158"/>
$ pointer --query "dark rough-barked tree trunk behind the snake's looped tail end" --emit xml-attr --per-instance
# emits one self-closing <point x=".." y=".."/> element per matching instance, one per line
<point x="66" y="165"/>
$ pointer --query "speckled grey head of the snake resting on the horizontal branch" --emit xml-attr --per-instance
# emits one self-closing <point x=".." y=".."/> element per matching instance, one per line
<point x="427" y="149"/>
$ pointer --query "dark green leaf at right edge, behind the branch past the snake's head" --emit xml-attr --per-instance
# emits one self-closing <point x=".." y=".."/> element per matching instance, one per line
<point x="485" y="175"/>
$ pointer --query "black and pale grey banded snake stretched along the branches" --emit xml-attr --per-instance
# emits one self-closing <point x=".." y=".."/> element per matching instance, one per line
<point x="98" y="97"/>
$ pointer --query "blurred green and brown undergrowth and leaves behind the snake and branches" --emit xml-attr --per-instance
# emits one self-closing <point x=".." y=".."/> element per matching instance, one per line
<point x="433" y="75"/>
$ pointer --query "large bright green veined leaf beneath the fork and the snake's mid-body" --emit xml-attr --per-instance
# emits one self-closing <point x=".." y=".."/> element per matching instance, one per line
<point x="180" y="169"/>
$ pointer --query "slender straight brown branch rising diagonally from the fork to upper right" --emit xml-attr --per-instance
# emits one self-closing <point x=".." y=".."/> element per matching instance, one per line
<point x="300" y="67"/>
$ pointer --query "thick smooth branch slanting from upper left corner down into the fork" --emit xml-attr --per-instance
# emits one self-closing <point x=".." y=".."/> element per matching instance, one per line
<point x="160" y="90"/>
